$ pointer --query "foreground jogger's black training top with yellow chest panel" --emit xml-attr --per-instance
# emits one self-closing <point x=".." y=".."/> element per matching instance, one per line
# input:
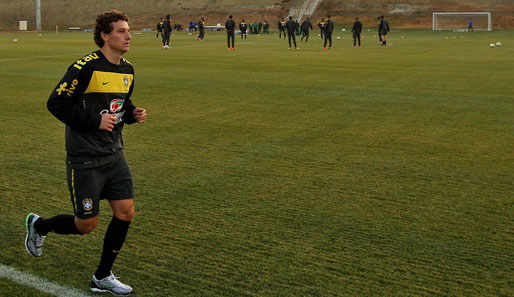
<point x="93" y="86"/>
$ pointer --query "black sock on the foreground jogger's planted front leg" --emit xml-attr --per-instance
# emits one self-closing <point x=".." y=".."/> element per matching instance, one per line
<point x="113" y="241"/>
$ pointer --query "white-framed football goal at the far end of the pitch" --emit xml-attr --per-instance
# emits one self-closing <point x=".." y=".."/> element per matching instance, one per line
<point x="460" y="21"/>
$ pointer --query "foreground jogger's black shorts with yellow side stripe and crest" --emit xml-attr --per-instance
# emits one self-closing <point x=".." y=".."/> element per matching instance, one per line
<point x="89" y="185"/>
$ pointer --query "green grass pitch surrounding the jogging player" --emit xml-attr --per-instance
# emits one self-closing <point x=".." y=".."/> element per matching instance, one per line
<point x="381" y="171"/>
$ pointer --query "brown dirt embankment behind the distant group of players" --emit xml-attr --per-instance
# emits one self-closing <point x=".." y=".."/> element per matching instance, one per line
<point x="400" y="14"/>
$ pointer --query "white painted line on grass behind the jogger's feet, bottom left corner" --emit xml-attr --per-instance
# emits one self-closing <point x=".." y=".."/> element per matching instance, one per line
<point x="39" y="284"/>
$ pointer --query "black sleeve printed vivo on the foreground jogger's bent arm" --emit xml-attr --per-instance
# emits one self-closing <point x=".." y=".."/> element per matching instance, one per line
<point x="65" y="102"/>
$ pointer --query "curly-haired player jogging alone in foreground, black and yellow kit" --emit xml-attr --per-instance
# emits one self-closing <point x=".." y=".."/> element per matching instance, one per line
<point x="93" y="100"/>
